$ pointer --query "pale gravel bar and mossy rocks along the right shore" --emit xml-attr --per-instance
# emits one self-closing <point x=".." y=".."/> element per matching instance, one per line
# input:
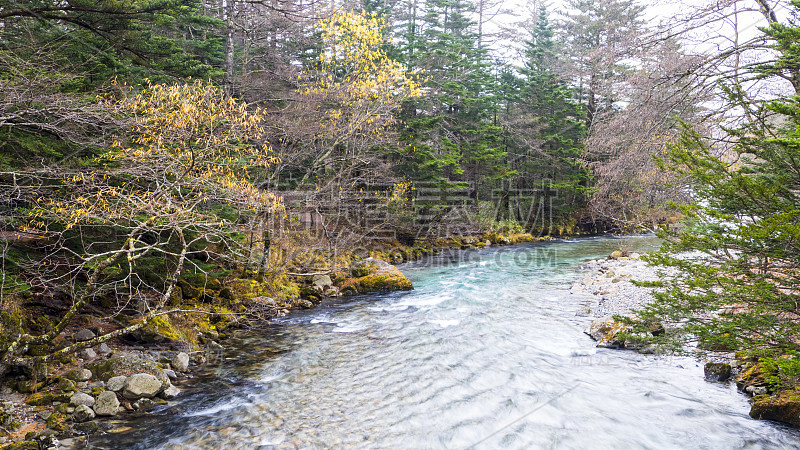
<point x="609" y="282"/>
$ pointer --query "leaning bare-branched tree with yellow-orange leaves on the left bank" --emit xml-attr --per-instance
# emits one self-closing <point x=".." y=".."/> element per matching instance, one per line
<point x="174" y="190"/>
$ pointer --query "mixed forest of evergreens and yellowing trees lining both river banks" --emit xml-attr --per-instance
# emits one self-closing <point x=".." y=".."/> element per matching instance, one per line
<point x="172" y="167"/>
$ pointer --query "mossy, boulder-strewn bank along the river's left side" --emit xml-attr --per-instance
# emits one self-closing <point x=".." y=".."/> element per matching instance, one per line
<point x="76" y="397"/>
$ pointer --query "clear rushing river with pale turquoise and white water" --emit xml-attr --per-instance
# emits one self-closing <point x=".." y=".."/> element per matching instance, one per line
<point x="487" y="352"/>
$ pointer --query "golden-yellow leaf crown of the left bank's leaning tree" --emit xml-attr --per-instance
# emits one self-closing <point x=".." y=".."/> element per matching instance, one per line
<point x="190" y="145"/>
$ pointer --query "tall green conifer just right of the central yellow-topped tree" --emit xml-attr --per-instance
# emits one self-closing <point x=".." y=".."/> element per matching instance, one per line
<point x="448" y="135"/>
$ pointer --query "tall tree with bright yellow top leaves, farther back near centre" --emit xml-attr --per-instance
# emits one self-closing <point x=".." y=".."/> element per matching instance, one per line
<point x="347" y="100"/>
